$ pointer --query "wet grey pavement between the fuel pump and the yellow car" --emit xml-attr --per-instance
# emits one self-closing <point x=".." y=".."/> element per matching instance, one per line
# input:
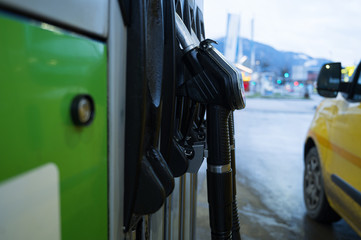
<point x="270" y="134"/>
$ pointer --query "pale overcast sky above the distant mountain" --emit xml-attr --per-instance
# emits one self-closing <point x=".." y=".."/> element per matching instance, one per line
<point x="320" y="28"/>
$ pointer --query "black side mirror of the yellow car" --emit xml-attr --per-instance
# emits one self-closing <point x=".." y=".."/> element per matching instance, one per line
<point x="329" y="79"/>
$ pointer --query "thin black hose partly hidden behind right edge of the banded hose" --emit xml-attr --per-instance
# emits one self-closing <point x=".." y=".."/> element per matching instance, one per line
<point x="236" y="235"/>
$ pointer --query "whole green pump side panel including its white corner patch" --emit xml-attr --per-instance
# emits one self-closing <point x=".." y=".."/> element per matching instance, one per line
<point x="53" y="173"/>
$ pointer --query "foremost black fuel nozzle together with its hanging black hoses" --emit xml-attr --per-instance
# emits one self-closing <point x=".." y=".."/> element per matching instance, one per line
<point x="216" y="83"/>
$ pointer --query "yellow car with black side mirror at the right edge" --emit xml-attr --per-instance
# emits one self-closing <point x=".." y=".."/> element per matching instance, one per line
<point x="332" y="153"/>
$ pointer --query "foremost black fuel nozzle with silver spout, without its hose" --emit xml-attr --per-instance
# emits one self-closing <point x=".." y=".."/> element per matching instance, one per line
<point x="215" y="80"/>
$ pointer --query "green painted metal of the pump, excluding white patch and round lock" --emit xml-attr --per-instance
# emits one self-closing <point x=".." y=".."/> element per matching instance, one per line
<point x="41" y="70"/>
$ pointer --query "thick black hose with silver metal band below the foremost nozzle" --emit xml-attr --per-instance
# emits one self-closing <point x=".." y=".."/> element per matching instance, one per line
<point x="219" y="172"/>
